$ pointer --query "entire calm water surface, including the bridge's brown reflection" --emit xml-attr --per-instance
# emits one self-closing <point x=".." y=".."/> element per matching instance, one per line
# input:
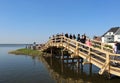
<point x="28" y="69"/>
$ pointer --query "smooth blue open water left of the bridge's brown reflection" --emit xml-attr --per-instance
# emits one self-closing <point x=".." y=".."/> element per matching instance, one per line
<point x="20" y="68"/>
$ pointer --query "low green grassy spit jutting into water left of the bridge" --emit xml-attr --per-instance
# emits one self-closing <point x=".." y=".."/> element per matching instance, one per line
<point x="24" y="51"/>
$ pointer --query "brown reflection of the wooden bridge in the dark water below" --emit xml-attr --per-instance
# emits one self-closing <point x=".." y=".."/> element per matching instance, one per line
<point x="70" y="73"/>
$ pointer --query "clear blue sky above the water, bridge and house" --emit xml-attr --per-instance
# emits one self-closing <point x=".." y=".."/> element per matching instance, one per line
<point x="26" y="21"/>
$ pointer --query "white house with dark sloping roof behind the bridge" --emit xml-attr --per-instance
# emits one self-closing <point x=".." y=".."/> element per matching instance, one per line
<point x="111" y="35"/>
